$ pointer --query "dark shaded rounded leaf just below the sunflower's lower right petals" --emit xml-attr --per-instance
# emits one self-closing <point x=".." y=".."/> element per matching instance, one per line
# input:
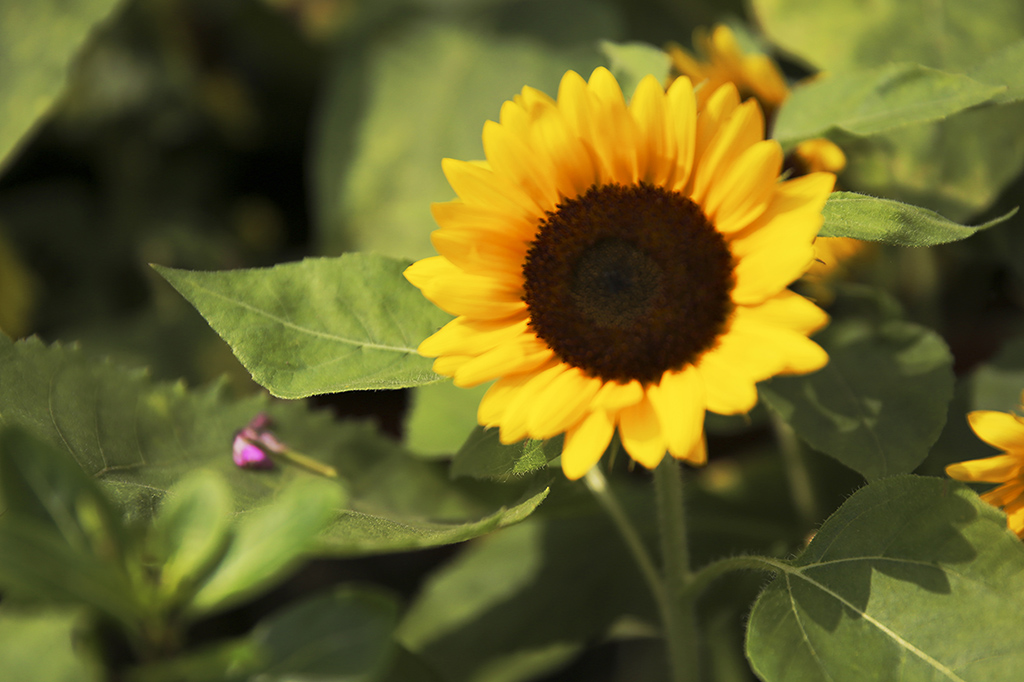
<point x="881" y="402"/>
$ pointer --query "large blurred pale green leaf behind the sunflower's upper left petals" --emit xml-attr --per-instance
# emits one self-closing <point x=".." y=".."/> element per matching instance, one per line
<point x="425" y="92"/>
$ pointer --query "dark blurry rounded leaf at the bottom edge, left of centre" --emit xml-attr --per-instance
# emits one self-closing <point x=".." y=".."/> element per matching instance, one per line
<point x="346" y="635"/>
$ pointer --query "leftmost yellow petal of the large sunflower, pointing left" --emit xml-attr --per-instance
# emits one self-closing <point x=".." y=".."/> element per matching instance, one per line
<point x="462" y="294"/>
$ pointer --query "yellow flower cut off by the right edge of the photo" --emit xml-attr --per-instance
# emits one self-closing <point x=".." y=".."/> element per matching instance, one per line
<point x="1004" y="432"/>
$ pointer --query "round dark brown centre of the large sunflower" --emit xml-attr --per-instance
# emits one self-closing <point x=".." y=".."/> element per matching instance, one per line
<point x="629" y="282"/>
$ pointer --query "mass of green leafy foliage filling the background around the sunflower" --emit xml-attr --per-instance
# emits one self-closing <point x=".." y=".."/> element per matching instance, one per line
<point x="276" y="160"/>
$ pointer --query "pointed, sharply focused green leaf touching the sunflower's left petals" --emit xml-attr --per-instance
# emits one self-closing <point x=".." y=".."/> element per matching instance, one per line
<point x="319" y="326"/>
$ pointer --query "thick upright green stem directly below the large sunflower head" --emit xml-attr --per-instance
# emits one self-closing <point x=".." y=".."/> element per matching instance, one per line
<point x="681" y="632"/>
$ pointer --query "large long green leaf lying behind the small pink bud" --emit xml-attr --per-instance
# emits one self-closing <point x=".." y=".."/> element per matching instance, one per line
<point x="140" y="439"/>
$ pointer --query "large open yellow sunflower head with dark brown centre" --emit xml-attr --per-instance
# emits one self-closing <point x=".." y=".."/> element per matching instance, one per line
<point x="624" y="268"/>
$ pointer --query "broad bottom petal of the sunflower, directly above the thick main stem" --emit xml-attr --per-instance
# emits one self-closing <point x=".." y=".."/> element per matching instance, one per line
<point x="679" y="403"/>
